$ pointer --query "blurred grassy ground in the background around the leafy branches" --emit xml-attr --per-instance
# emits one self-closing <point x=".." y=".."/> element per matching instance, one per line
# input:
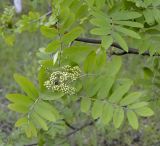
<point x="21" y="58"/>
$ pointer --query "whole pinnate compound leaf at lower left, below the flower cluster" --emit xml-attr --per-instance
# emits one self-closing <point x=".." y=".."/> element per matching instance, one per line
<point x="32" y="106"/>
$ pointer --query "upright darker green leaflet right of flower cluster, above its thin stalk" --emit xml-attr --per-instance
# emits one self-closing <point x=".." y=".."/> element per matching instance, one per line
<point x="90" y="62"/>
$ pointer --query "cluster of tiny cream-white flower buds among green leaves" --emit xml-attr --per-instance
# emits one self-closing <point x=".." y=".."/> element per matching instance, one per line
<point x="61" y="80"/>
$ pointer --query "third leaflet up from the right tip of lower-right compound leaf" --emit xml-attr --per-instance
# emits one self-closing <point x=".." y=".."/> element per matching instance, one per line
<point x="131" y="98"/>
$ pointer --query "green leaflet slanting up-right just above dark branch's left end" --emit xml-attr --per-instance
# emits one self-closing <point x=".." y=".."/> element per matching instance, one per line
<point x="72" y="35"/>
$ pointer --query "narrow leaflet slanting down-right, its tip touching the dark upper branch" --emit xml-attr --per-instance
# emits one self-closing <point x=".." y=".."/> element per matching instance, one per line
<point x="120" y="41"/>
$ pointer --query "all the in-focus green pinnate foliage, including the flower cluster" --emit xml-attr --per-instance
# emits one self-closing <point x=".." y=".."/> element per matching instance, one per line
<point x="77" y="80"/>
